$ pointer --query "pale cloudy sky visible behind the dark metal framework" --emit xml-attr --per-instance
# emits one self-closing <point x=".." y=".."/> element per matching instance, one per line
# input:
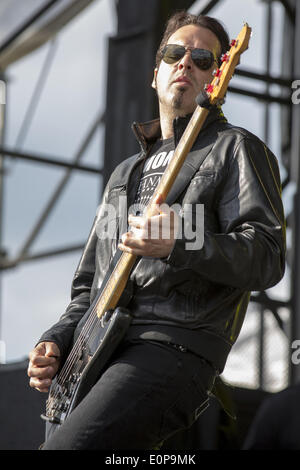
<point x="35" y="294"/>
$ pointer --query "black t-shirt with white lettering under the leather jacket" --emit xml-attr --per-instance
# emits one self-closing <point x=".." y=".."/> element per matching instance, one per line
<point x="153" y="170"/>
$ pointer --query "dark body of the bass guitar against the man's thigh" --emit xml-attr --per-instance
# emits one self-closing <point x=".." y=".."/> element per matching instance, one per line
<point x="88" y="362"/>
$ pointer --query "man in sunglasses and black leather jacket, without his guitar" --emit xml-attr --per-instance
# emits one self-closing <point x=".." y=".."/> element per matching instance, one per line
<point x="189" y="289"/>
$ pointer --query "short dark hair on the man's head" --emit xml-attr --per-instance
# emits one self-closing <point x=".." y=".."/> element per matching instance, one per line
<point x="183" y="18"/>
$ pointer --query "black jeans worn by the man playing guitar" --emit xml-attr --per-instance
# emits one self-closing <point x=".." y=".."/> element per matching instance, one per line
<point x="148" y="393"/>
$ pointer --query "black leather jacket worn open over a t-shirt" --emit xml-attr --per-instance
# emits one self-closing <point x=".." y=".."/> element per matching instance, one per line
<point x="195" y="297"/>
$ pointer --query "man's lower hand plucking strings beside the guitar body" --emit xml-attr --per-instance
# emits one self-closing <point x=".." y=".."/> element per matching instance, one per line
<point x="44" y="362"/>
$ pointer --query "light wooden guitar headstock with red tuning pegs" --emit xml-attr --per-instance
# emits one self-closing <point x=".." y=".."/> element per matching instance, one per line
<point x="216" y="90"/>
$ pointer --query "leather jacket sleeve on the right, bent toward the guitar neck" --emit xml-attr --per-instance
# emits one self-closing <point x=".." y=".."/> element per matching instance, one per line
<point x="248" y="251"/>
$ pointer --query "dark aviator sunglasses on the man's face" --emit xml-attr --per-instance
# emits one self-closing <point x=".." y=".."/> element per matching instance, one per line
<point x="202" y="58"/>
